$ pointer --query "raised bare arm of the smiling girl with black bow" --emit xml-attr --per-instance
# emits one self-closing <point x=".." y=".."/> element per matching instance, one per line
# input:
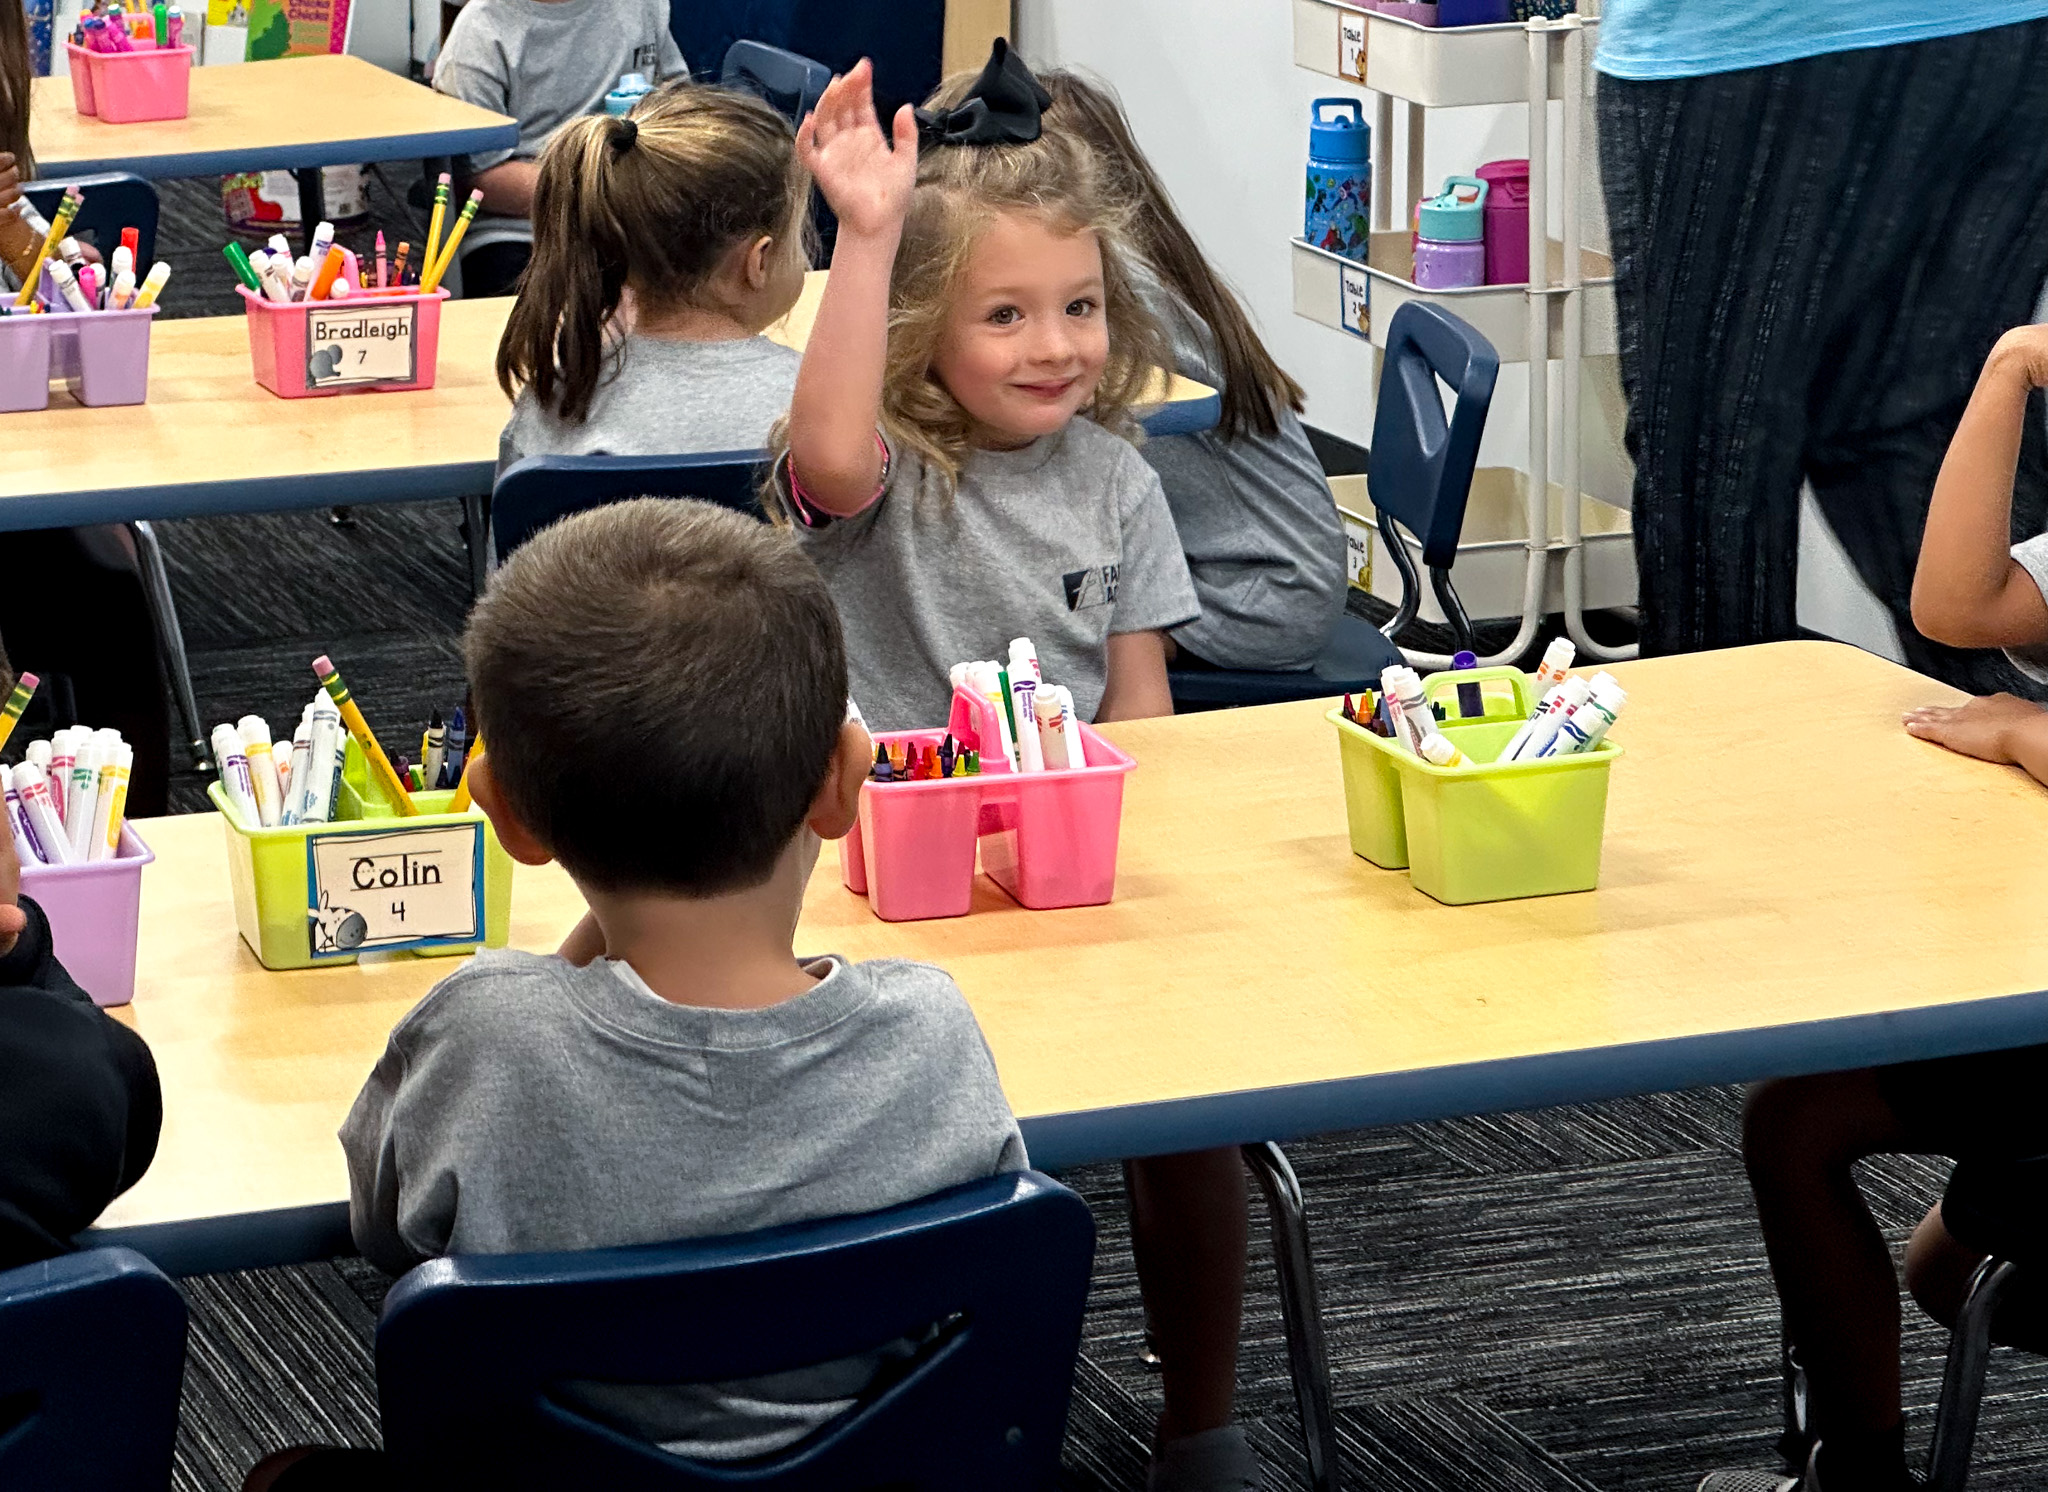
<point x="841" y="382"/>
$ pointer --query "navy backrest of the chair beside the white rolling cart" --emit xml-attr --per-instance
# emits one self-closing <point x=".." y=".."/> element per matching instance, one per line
<point x="1422" y="464"/>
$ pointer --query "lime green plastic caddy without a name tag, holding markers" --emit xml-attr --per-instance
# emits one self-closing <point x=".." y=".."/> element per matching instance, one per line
<point x="1486" y="830"/>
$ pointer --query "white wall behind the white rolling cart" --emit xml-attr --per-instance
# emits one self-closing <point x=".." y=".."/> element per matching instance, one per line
<point x="1222" y="109"/>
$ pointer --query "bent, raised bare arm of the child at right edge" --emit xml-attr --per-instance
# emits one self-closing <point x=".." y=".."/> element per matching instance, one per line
<point x="1969" y="590"/>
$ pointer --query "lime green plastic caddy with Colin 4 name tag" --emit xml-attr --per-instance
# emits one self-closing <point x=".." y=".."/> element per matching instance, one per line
<point x="368" y="881"/>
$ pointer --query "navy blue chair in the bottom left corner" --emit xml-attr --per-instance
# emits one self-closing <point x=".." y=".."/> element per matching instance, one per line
<point x="91" y="1364"/>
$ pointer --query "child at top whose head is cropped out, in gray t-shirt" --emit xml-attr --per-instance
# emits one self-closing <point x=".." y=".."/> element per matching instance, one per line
<point x="544" y="62"/>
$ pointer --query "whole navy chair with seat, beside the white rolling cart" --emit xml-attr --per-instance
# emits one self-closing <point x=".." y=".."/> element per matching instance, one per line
<point x="1420" y="476"/>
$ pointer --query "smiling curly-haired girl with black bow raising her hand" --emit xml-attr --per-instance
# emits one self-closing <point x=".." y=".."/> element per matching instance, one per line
<point x="955" y="466"/>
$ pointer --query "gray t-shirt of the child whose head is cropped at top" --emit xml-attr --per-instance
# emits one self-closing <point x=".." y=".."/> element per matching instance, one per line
<point x="548" y="62"/>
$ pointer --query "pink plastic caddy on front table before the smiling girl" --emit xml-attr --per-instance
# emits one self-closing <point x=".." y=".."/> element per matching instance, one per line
<point x="1048" y="838"/>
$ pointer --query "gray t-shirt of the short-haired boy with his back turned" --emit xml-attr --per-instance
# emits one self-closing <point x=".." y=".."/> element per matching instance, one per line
<point x="534" y="1106"/>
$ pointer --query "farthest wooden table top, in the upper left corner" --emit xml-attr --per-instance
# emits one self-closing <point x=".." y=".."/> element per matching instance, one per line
<point x="267" y="116"/>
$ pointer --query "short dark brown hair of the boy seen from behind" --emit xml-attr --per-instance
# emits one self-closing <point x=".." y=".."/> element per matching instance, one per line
<point x="660" y="687"/>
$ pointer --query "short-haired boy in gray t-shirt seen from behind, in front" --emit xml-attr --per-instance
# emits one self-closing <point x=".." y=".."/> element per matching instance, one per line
<point x="663" y="699"/>
